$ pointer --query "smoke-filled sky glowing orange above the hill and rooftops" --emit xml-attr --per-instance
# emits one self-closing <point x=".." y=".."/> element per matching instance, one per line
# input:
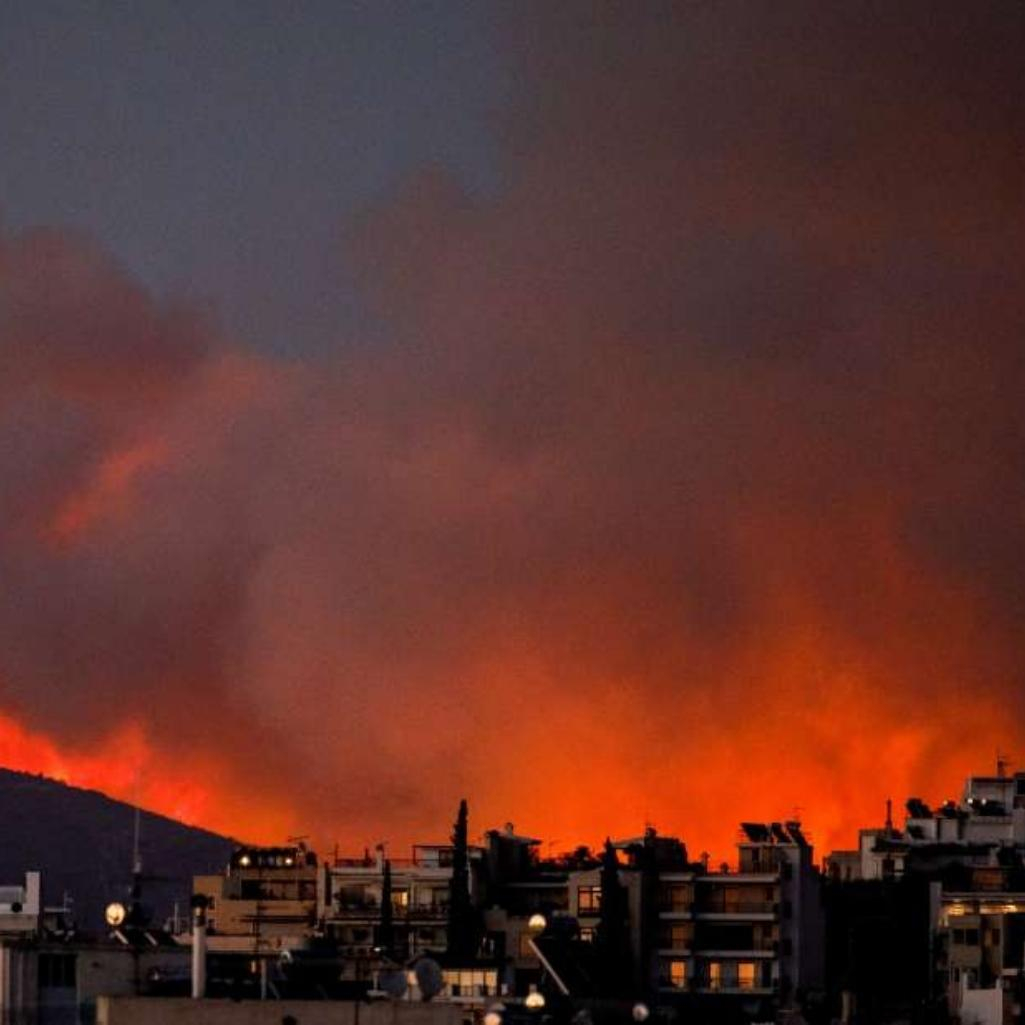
<point x="609" y="414"/>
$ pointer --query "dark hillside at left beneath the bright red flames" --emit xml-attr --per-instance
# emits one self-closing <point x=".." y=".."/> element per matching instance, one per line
<point x="81" y="841"/>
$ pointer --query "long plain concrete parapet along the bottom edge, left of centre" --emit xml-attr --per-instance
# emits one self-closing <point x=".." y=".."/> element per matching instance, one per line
<point x="161" y="1011"/>
